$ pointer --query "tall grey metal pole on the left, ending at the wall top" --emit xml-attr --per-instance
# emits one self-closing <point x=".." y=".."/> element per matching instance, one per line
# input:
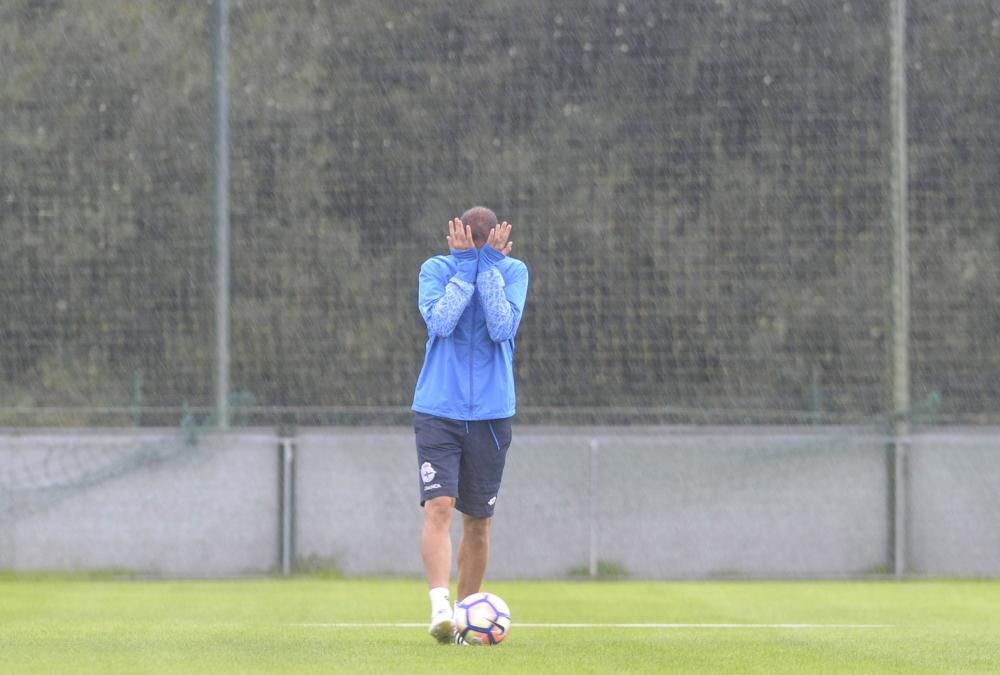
<point x="220" y="86"/>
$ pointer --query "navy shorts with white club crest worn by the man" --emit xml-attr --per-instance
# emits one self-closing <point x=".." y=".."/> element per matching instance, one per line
<point x="463" y="460"/>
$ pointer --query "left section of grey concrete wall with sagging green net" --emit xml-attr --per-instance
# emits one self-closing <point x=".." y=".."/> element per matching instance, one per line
<point x="149" y="502"/>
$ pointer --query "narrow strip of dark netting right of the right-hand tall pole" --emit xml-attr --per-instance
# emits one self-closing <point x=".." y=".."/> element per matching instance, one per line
<point x="955" y="209"/>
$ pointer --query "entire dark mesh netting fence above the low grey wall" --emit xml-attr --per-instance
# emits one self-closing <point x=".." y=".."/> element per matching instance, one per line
<point x="701" y="191"/>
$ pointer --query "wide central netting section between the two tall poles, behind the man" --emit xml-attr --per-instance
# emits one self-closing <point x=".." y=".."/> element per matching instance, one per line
<point x="699" y="191"/>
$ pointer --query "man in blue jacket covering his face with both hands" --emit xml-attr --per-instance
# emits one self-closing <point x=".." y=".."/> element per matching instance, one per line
<point x="472" y="301"/>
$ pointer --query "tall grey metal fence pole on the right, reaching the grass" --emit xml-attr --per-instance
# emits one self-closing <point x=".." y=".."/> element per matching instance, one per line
<point x="900" y="284"/>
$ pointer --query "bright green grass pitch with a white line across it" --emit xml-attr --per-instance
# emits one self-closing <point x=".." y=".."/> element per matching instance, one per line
<point x="81" y="625"/>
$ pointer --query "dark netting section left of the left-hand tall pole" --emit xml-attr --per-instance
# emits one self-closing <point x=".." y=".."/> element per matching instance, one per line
<point x="105" y="175"/>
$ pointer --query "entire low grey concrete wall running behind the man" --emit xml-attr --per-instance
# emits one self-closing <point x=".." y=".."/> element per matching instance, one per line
<point x="652" y="502"/>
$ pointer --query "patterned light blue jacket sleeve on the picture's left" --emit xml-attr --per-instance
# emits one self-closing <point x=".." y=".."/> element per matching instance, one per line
<point x="442" y="300"/>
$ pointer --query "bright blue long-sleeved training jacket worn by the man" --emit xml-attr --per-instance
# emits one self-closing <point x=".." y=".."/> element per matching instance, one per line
<point x="472" y="302"/>
